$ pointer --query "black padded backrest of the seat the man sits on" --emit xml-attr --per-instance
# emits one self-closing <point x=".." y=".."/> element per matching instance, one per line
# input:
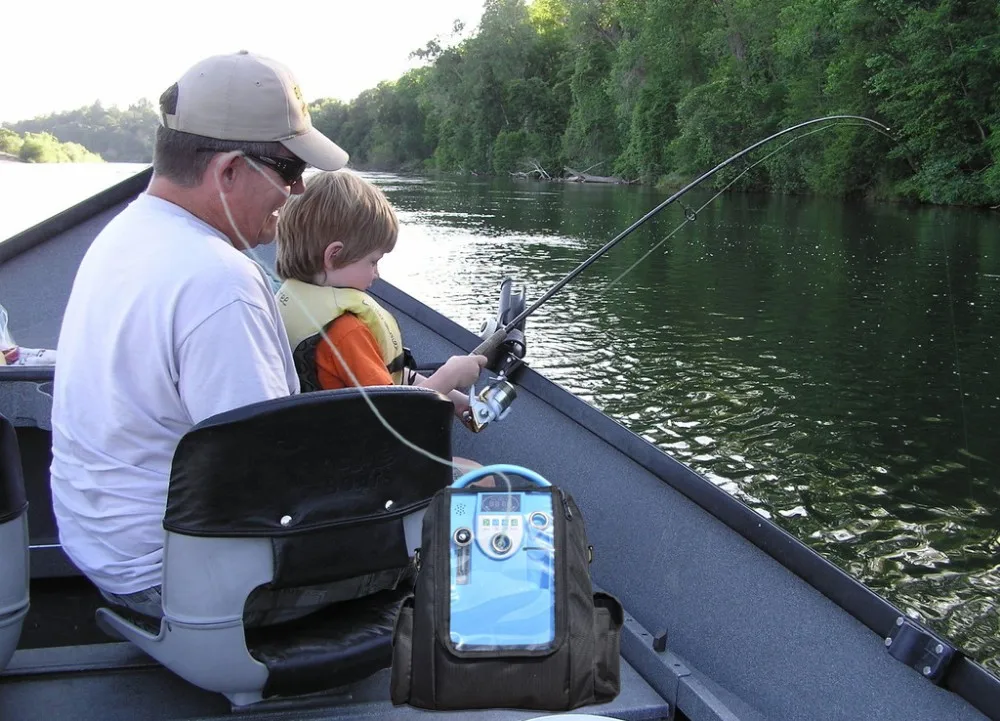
<point x="318" y="474"/>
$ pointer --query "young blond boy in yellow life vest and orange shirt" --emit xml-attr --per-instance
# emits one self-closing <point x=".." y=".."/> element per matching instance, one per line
<point x="330" y="239"/>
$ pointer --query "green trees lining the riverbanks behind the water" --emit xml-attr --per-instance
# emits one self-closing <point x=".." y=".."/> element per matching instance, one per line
<point x="661" y="90"/>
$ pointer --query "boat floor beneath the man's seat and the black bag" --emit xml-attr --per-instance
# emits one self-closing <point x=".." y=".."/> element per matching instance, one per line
<point x="99" y="679"/>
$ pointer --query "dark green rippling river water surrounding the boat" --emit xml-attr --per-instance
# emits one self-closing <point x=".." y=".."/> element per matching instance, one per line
<point x="831" y="364"/>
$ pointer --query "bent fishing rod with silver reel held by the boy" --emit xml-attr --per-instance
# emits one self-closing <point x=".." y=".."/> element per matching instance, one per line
<point x="494" y="401"/>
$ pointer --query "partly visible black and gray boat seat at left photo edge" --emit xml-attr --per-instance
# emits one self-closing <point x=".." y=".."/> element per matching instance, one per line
<point x="13" y="543"/>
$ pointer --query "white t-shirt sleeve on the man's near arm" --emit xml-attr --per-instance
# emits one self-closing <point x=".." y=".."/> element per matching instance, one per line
<point x="231" y="359"/>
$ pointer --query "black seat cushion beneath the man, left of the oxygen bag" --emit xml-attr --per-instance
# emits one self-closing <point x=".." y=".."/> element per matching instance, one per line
<point x="344" y="643"/>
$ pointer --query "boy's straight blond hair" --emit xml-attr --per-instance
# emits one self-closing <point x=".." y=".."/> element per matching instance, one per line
<point x="336" y="206"/>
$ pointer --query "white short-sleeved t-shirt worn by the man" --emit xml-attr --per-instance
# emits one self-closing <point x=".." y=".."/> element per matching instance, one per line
<point x="166" y="325"/>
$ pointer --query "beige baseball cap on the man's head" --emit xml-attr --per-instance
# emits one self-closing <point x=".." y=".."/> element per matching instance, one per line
<point x="247" y="97"/>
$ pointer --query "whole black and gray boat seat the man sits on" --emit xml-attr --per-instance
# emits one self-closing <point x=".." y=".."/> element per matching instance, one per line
<point x="288" y="493"/>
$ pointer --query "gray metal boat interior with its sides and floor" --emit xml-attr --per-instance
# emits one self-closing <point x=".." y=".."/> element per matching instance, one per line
<point x="757" y="625"/>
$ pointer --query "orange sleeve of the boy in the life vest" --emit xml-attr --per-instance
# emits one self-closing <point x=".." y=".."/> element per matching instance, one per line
<point x="359" y="351"/>
